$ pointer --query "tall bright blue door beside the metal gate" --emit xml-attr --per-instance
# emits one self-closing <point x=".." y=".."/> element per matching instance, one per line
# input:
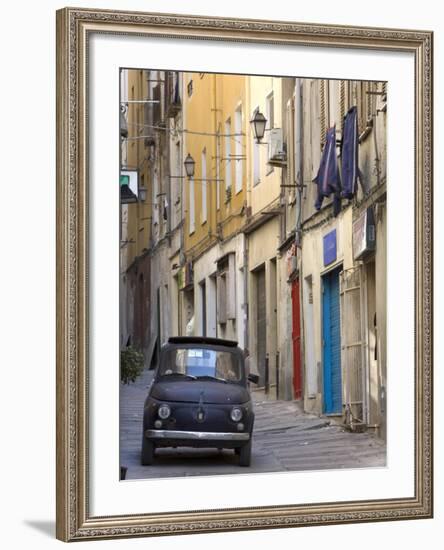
<point x="331" y="344"/>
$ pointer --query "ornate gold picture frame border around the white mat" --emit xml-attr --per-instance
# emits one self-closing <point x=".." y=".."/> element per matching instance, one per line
<point x="73" y="519"/>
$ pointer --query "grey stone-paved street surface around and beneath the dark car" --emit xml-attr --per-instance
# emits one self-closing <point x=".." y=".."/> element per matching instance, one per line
<point x="284" y="439"/>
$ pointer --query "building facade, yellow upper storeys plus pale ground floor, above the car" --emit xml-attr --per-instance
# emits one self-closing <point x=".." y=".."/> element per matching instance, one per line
<point x="215" y="128"/>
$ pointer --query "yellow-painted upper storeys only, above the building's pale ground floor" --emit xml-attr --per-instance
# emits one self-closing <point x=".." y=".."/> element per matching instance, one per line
<point x="214" y="136"/>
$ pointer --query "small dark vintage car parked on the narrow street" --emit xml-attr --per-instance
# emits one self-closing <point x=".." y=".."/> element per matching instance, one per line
<point x="199" y="398"/>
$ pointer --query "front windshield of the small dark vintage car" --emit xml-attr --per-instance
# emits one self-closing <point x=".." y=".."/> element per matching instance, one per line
<point x="201" y="363"/>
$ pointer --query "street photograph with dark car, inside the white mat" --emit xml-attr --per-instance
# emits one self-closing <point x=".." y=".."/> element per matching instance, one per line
<point x="253" y="273"/>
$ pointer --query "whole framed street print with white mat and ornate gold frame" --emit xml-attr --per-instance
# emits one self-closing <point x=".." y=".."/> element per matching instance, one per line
<point x="244" y="276"/>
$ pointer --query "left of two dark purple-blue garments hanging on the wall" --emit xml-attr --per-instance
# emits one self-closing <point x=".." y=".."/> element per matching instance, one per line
<point x="328" y="180"/>
